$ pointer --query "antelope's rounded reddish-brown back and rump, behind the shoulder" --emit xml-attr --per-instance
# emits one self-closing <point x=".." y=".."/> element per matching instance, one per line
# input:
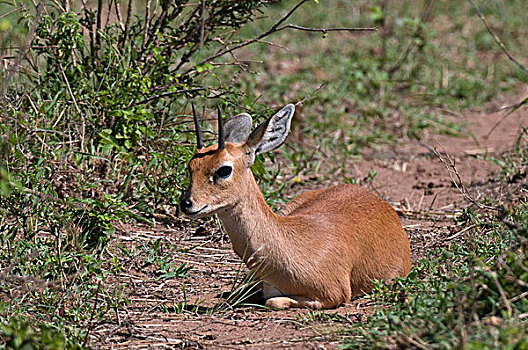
<point x="361" y="225"/>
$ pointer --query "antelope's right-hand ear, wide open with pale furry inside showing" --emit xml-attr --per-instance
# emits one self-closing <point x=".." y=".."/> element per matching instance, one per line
<point x="272" y="133"/>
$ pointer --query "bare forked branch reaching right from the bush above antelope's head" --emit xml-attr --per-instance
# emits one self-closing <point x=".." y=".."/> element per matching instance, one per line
<point x="275" y="28"/>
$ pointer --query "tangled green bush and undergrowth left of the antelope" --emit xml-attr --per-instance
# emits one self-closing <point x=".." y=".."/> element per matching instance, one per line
<point x="94" y="130"/>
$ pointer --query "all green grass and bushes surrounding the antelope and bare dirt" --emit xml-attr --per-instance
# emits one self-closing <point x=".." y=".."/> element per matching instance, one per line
<point x="96" y="134"/>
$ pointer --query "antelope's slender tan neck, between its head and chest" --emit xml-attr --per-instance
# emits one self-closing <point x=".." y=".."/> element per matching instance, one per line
<point x="251" y="224"/>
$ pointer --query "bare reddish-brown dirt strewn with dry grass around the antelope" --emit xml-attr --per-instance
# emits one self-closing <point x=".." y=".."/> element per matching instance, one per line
<point x="189" y="313"/>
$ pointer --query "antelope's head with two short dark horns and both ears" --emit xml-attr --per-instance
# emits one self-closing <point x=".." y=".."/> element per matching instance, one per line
<point x="220" y="174"/>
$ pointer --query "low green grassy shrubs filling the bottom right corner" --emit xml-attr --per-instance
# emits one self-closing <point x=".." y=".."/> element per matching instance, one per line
<point x="470" y="295"/>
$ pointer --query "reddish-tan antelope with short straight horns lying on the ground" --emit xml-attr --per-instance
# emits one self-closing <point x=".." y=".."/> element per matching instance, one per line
<point x="321" y="249"/>
